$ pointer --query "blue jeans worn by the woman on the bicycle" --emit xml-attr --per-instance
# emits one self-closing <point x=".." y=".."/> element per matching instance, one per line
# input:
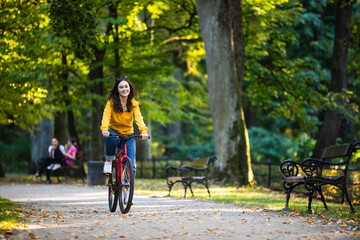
<point x="111" y="145"/>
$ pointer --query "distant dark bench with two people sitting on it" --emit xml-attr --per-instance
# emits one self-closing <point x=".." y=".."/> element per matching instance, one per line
<point x="76" y="167"/>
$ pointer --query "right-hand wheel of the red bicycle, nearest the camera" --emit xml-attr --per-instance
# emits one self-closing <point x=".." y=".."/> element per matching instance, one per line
<point x="127" y="186"/>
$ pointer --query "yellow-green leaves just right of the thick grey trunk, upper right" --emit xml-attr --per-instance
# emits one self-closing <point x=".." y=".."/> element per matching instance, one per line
<point x="290" y="81"/>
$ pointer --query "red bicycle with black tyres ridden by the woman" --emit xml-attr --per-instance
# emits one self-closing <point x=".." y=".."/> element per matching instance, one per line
<point x="121" y="181"/>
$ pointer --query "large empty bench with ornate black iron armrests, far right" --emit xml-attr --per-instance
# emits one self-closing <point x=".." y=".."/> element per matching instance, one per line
<point x="309" y="173"/>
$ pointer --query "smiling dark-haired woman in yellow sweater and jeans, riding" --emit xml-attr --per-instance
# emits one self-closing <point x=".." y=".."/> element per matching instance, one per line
<point x="120" y="111"/>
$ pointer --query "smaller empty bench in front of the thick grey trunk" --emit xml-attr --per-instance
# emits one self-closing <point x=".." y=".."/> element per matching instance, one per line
<point x="187" y="175"/>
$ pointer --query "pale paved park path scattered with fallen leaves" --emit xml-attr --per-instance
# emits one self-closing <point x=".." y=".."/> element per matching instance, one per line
<point x="60" y="211"/>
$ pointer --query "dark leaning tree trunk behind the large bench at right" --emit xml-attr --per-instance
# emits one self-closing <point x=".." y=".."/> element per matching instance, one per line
<point x="330" y="128"/>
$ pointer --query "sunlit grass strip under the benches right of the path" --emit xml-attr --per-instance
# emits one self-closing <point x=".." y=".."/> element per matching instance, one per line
<point x="257" y="197"/>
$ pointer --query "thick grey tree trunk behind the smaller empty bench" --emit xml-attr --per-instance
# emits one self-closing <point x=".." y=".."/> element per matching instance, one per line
<point x="224" y="82"/>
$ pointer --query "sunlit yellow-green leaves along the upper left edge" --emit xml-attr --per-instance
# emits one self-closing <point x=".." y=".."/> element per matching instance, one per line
<point x="23" y="91"/>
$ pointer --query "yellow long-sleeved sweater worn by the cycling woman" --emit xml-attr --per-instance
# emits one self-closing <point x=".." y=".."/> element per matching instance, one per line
<point x="122" y="122"/>
